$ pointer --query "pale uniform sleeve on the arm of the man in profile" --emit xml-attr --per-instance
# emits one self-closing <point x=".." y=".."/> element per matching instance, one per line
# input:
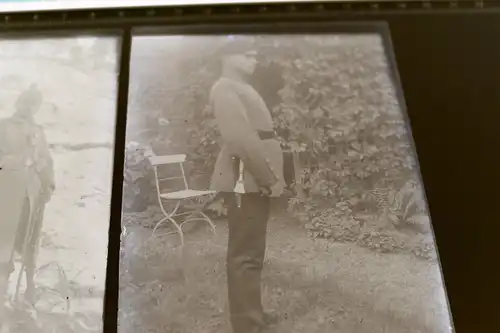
<point x="241" y="138"/>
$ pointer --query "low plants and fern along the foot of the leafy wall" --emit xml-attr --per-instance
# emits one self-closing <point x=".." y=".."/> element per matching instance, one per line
<point x="342" y="223"/>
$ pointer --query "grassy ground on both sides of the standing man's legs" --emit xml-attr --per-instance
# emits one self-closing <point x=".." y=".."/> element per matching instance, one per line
<point x="313" y="285"/>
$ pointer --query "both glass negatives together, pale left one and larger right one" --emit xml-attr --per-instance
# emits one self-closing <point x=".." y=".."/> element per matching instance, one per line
<point x="270" y="172"/>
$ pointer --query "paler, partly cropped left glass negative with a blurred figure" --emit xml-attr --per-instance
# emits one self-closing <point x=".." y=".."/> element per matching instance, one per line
<point x="57" y="113"/>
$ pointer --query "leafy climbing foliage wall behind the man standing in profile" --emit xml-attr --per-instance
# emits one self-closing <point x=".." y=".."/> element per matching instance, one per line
<point x="335" y="106"/>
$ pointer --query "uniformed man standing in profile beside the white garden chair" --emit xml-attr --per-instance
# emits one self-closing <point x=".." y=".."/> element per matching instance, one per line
<point x="251" y="154"/>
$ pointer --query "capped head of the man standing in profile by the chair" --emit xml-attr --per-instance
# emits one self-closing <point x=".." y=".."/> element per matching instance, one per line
<point x="239" y="56"/>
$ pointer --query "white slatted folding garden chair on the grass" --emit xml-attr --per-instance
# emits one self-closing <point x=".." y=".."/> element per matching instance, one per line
<point x="177" y="197"/>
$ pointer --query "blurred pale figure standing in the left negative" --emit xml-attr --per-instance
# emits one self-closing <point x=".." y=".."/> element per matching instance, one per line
<point x="26" y="185"/>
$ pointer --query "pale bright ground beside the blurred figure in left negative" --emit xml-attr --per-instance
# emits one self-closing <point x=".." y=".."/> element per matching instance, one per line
<point x="73" y="252"/>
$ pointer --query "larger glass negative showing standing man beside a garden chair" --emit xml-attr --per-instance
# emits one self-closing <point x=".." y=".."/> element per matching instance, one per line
<point x="350" y="246"/>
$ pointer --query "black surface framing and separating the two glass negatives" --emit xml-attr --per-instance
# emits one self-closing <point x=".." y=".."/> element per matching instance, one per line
<point x="448" y="62"/>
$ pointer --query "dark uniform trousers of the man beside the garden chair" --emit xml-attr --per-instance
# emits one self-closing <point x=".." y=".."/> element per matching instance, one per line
<point x="245" y="258"/>
